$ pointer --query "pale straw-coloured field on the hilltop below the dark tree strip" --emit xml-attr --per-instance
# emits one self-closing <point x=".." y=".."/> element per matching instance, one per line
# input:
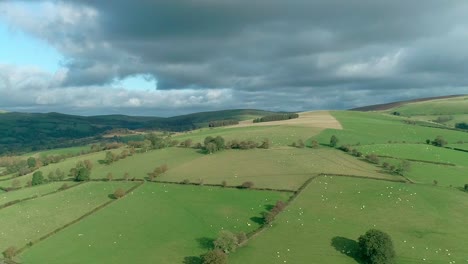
<point x="320" y="119"/>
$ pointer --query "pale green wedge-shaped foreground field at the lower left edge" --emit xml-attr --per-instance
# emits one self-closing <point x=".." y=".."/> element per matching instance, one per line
<point x="32" y="219"/>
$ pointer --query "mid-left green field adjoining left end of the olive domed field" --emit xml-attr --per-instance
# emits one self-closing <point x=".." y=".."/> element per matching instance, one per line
<point x="139" y="165"/>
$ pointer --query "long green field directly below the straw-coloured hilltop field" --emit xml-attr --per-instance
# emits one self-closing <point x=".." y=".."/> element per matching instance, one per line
<point x="279" y="135"/>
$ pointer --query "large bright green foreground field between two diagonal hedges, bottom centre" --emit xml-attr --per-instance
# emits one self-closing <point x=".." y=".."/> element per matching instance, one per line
<point x="157" y="223"/>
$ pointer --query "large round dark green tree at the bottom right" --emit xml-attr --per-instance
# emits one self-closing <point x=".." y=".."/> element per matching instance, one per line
<point x="376" y="247"/>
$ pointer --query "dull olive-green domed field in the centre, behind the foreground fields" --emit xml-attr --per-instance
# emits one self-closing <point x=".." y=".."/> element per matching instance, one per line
<point x="283" y="168"/>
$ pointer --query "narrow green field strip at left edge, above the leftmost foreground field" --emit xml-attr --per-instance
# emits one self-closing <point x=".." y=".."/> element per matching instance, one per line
<point x="32" y="191"/>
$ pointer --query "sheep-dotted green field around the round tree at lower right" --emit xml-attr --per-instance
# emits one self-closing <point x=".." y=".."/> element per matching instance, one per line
<point x="427" y="224"/>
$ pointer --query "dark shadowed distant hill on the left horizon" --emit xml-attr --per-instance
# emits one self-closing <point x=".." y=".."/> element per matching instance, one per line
<point x="21" y="132"/>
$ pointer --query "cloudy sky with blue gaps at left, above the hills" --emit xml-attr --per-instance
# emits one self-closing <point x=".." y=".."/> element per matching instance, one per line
<point x="167" y="57"/>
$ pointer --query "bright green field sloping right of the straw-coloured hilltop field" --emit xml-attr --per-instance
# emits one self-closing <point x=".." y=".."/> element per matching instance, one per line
<point x="370" y="128"/>
